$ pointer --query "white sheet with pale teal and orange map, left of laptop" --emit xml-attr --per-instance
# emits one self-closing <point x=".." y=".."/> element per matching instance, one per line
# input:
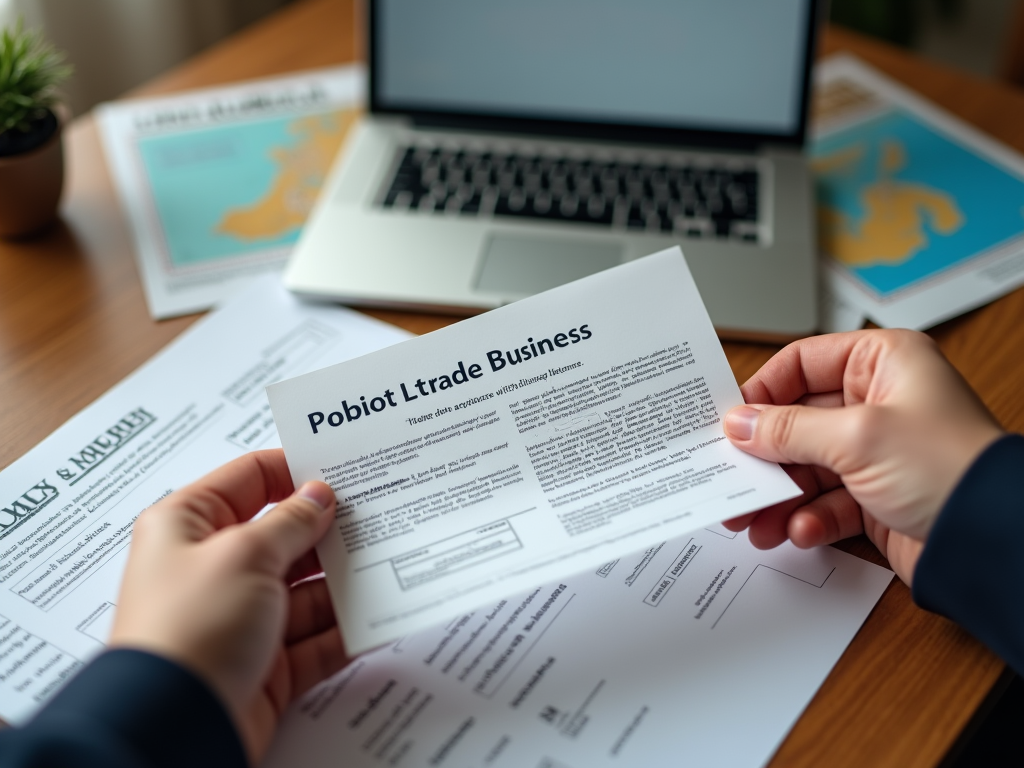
<point x="218" y="184"/>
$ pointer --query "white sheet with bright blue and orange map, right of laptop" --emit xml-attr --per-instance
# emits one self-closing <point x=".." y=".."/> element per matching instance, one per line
<point x="920" y="214"/>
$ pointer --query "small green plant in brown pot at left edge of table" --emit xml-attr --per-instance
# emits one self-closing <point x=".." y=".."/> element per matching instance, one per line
<point x="31" y="154"/>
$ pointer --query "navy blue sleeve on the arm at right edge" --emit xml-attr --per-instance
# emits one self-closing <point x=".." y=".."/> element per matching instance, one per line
<point x="972" y="569"/>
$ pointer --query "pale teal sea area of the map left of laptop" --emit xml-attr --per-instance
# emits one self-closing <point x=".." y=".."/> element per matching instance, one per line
<point x="198" y="177"/>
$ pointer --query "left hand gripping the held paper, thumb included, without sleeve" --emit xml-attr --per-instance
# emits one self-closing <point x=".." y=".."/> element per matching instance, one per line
<point x="218" y="596"/>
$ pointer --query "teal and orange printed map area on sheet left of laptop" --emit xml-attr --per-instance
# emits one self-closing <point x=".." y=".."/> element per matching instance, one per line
<point x="235" y="190"/>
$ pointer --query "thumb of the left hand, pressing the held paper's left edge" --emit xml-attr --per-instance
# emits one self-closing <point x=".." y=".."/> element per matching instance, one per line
<point x="294" y="527"/>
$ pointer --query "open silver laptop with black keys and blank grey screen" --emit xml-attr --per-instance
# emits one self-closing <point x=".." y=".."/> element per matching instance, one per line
<point x="514" y="147"/>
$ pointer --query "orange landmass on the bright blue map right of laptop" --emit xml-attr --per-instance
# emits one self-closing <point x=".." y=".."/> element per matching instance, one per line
<point x="897" y="212"/>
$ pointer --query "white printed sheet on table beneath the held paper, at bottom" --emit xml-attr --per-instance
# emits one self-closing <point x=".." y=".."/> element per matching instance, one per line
<point x="700" y="651"/>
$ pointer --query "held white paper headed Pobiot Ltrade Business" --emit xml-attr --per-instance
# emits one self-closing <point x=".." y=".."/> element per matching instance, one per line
<point x="520" y="447"/>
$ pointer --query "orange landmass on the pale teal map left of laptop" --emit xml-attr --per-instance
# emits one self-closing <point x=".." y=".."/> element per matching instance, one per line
<point x="303" y="169"/>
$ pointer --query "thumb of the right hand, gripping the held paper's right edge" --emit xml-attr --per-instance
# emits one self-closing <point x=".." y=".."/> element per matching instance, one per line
<point x="790" y="435"/>
